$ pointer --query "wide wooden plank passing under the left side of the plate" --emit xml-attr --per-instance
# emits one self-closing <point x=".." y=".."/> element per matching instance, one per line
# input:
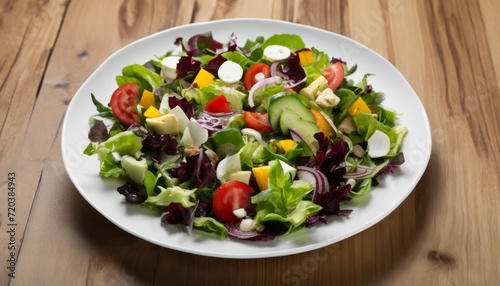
<point x="96" y="255"/>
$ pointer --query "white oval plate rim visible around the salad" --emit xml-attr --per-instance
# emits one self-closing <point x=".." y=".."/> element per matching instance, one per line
<point x="367" y="211"/>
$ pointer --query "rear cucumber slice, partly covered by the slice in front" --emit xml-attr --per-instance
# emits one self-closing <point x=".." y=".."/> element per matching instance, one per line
<point x="284" y="100"/>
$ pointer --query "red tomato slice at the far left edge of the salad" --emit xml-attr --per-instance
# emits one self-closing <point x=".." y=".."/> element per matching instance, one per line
<point x="124" y="102"/>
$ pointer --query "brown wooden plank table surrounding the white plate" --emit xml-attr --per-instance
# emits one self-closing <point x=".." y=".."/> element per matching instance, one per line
<point x="445" y="233"/>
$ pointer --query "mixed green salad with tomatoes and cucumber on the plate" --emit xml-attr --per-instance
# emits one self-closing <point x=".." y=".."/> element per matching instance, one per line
<point x="245" y="141"/>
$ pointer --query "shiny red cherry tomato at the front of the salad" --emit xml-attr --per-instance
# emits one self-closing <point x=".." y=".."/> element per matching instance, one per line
<point x="231" y="196"/>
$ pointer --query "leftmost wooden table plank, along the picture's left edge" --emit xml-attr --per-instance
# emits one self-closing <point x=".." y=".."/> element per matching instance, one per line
<point x="25" y="52"/>
